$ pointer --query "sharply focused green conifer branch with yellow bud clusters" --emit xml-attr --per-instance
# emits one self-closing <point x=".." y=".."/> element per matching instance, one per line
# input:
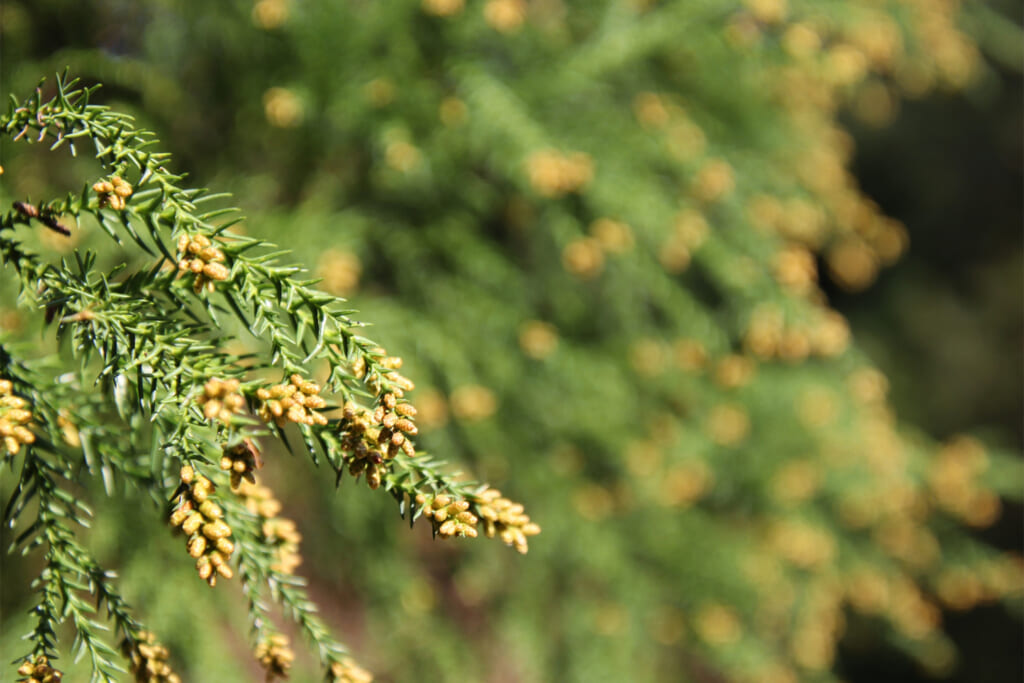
<point x="174" y="405"/>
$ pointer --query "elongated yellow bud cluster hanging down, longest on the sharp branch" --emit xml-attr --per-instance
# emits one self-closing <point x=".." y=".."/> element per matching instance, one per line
<point x="201" y="520"/>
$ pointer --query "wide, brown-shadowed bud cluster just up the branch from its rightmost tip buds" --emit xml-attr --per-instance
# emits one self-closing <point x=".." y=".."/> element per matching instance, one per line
<point x="370" y="439"/>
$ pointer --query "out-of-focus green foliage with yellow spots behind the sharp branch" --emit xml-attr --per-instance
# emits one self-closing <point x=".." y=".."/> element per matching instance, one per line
<point x="593" y="231"/>
